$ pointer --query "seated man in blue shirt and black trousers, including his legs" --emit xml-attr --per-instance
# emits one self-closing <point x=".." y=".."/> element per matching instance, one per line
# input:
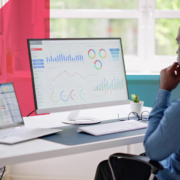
<point x="162" y="138"/>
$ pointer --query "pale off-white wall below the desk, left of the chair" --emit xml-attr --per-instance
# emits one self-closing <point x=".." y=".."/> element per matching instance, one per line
<point x="79" y="166"/>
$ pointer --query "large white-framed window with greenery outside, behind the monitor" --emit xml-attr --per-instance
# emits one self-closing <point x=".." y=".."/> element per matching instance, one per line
<point x="148" y="28"/>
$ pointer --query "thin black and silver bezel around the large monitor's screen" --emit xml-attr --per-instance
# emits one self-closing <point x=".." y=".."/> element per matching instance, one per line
<point x="75" y="107"/>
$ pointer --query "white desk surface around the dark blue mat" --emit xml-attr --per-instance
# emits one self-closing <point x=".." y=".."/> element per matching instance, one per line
<point x="41" y="149"/>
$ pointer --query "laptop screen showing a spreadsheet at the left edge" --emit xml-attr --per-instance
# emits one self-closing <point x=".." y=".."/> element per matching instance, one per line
<point x="9" y="108"/>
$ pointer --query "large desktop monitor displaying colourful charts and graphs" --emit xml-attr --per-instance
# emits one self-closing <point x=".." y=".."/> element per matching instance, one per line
<point x="76" y="74"/>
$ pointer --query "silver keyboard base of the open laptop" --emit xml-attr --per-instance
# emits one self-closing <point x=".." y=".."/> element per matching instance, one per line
<point x="19" y="134"/>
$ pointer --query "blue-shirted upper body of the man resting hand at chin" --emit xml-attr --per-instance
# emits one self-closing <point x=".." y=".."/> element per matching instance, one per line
<point x="162" y="139"/>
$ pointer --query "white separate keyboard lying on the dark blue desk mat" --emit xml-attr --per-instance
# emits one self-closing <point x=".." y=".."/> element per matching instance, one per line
<point x="114" y="127"/>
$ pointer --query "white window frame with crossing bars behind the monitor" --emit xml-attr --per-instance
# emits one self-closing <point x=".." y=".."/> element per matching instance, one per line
<point x="146" y="15"/>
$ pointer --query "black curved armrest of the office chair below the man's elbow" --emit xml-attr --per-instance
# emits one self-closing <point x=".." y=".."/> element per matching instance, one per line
<point x="143" y="160"/>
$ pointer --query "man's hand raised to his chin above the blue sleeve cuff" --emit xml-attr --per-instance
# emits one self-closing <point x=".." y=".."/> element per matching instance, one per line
<point x="170" y="77"/>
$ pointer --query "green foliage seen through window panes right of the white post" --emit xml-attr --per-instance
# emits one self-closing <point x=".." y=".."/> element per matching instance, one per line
<point x="166" y="29"/>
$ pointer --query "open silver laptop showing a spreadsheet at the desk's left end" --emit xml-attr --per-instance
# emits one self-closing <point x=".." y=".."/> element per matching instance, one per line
<point x="12" y="129"/>
